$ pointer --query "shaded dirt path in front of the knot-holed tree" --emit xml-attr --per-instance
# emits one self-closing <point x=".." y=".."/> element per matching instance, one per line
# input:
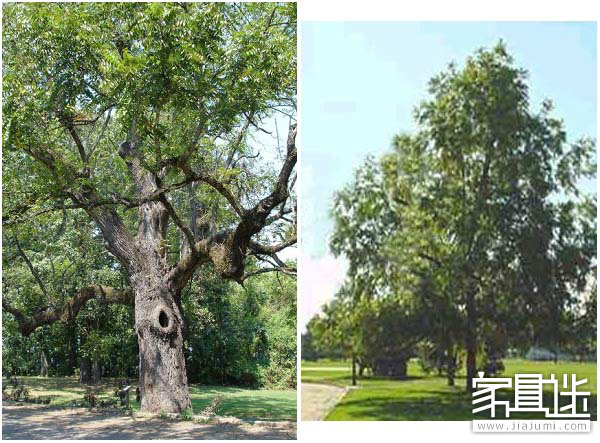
<point x="37" y="422"/>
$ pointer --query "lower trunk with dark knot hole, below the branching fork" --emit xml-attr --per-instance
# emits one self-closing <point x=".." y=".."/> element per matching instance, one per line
<point x="159" y="323"/>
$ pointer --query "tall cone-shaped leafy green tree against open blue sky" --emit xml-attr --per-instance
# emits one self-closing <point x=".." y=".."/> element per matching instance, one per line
<point x="479" y="212"/>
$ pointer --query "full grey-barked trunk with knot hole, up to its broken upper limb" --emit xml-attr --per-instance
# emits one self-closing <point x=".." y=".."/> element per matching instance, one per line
<point x="158" y="318"/>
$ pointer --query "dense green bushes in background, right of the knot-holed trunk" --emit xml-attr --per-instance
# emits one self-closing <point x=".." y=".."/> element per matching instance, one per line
<point x="242" y="336"/>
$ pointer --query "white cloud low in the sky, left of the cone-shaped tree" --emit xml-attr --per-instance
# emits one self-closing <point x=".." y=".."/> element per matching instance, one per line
<point x="320" y="278"/>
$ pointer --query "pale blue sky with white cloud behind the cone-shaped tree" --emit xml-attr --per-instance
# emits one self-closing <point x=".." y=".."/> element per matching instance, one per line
<point x="361" y="81"/>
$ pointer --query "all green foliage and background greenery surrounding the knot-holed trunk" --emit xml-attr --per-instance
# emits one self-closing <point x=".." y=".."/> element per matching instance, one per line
<point x="200" y="84"/>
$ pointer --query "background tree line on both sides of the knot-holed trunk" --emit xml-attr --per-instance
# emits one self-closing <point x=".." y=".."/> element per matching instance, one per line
<point x="233" y="336"/>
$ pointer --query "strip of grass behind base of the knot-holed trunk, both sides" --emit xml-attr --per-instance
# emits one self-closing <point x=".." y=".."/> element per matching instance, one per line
<point x="246" y="404"/>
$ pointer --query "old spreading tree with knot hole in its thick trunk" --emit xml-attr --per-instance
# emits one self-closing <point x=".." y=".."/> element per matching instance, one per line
<point x="146" y="117"/>
